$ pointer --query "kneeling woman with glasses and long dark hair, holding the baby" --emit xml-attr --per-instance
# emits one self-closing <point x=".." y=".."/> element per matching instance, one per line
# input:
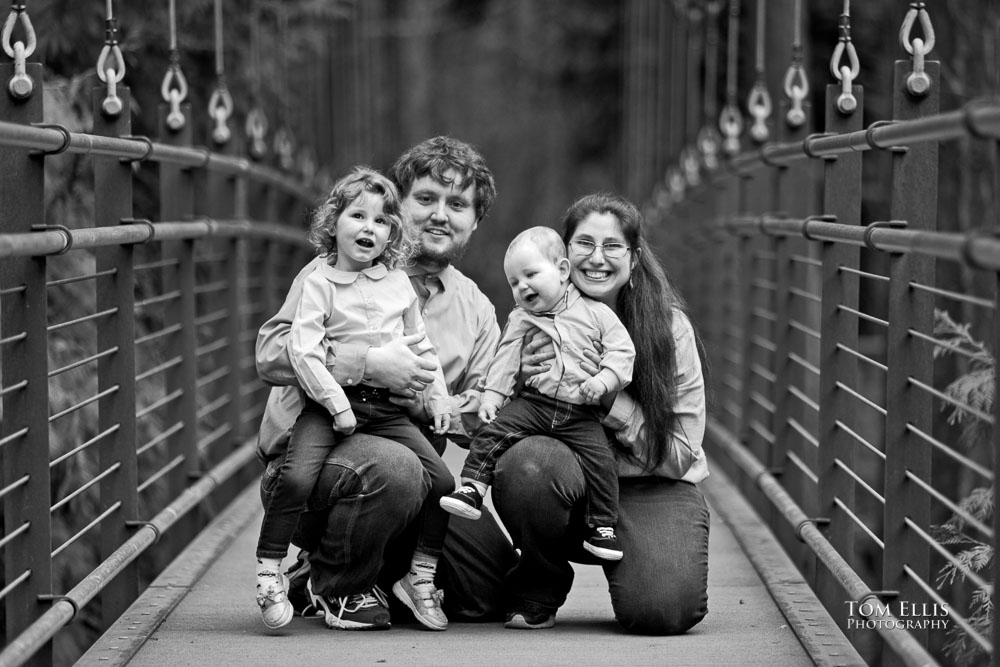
<point x="656" y="426"/>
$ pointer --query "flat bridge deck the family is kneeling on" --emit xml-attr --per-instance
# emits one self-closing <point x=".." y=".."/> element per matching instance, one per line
<point x="201" y="612"/>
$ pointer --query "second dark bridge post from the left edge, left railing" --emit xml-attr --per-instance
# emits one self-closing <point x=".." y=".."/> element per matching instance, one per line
<point x="115" y="288"/>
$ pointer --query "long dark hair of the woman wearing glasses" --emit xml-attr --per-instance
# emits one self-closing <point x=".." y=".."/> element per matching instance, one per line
<point x="646" y="306"/>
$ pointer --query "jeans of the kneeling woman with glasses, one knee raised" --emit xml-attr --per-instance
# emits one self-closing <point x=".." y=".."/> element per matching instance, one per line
<point x="660" y="586"/>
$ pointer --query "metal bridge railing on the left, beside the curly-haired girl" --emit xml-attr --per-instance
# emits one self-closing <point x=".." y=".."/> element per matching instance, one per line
<point x="129" y="394"/>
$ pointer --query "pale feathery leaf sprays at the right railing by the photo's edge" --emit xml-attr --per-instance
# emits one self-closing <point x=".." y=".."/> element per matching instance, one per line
<point x="973" y="388"/>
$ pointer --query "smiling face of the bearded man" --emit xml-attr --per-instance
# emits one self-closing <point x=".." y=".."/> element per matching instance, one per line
<point x="443" y="217"/>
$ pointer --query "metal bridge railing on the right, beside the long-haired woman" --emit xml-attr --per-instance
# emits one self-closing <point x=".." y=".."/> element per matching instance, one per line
<point x="853" y="368"/>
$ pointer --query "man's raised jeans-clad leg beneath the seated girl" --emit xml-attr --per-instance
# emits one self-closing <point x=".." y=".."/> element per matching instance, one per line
<point x="369" y="490"/>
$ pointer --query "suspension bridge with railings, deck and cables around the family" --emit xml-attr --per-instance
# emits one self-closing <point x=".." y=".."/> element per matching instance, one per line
<point x="851" y="334"/>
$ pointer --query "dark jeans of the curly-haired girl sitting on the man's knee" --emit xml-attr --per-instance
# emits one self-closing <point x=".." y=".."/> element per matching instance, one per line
<point x="312" y="441"/>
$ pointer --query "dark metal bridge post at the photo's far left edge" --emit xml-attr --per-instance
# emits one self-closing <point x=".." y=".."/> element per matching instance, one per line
<point x="24" y="414"/>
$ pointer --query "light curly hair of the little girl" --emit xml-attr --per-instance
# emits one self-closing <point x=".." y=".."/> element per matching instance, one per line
<point x="362" y="179"/>
